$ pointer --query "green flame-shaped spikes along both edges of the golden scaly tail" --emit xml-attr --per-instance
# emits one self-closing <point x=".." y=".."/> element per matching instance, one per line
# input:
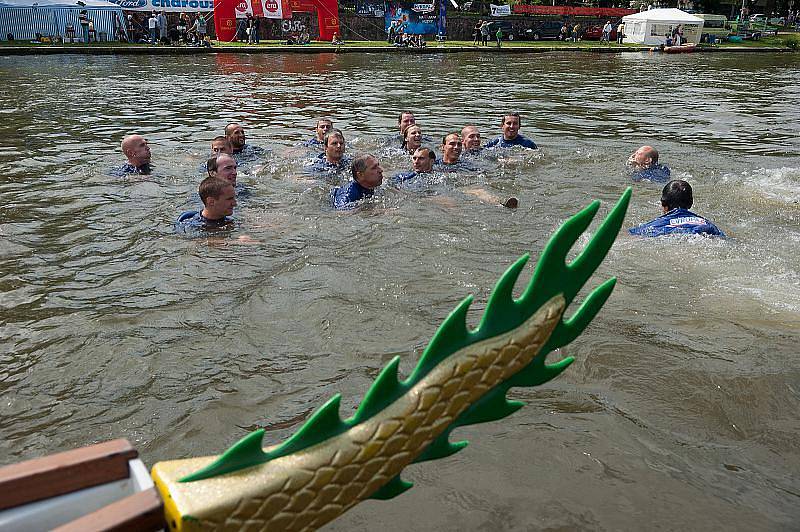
<point x="503" y="313"/>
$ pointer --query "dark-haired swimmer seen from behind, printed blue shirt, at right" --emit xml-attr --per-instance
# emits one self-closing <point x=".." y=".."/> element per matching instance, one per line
<point x="676" y="200"/>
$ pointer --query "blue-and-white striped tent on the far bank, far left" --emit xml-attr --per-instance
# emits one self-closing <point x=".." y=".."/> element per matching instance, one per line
<point x="23" y="19"/>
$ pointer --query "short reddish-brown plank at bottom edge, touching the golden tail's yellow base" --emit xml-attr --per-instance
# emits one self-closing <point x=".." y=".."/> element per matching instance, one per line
<point x="141" y="512"/>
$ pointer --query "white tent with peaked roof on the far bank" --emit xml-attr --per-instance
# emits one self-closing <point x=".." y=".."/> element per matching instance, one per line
<point x="652" y="26"/>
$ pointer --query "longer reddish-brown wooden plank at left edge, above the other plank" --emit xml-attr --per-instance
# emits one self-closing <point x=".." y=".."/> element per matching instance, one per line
<point x="57" y="474"/>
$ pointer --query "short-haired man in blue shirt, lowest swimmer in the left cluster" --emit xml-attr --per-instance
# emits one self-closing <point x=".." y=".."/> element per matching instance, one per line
<point x="219" y="199"/>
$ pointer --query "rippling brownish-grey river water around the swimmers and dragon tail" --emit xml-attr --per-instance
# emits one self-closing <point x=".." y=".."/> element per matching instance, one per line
<point x="681" y="410"/>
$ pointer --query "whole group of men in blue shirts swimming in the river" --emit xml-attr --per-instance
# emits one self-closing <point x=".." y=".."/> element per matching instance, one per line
<point x="218" y="191"/>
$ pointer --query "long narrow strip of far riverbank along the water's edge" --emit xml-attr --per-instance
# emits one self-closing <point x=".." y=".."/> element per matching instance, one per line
<point x="766" y="45"/>
